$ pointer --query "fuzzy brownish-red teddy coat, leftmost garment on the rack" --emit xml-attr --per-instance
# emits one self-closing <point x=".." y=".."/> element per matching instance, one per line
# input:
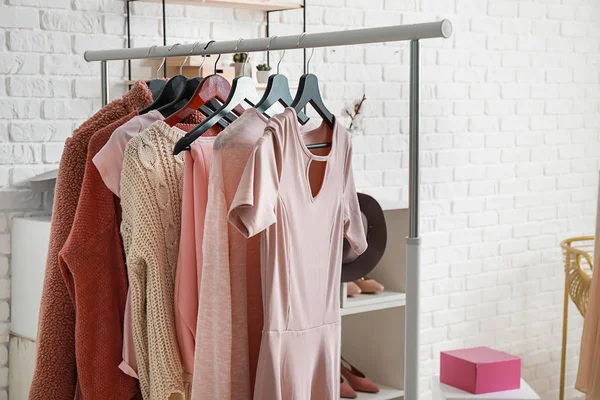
<point x="55" y="376"/>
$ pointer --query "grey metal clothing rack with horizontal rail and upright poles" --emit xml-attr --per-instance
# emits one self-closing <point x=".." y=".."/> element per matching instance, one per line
<point x="413" y="33"/>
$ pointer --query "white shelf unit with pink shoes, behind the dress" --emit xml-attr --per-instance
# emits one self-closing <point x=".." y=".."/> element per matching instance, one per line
<point x="373" y="326"/>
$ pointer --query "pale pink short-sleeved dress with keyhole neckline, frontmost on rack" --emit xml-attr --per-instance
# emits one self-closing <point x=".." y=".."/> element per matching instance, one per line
<point x="301" y="255"/>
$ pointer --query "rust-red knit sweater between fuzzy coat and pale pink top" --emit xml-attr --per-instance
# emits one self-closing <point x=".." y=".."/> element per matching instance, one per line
<point x="92" y="263"/>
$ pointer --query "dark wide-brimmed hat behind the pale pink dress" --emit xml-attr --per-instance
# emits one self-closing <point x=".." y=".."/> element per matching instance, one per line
<point x="353" y="266"/>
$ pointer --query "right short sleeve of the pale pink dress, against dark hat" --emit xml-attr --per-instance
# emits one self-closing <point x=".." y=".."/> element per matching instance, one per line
<point x="353" y="225"/>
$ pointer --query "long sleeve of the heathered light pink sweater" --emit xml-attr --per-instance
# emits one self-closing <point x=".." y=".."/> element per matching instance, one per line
<point x="212" y="360"/>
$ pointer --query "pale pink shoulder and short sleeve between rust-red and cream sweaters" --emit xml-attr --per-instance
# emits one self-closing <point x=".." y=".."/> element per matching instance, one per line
<point x="109" y="160"/>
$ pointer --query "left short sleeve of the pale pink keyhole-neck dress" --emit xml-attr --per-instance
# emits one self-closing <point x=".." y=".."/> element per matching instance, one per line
<point x="253" y="207"/>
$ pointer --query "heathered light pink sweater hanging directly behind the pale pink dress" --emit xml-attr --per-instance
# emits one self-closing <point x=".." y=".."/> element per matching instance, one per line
<point x="230" y="322"/>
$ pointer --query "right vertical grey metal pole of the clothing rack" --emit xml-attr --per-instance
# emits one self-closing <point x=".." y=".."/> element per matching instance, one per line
<point x="413" y="242"/>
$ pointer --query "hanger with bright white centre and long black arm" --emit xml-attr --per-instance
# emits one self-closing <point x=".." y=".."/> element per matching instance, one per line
<point x="242" y="90"/>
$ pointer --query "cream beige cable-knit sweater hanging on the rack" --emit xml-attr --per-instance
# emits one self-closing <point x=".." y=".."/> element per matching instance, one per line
<point x="151" y="189"/>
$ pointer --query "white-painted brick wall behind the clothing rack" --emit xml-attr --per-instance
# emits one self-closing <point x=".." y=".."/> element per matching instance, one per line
<point x="510" y="143"/>
